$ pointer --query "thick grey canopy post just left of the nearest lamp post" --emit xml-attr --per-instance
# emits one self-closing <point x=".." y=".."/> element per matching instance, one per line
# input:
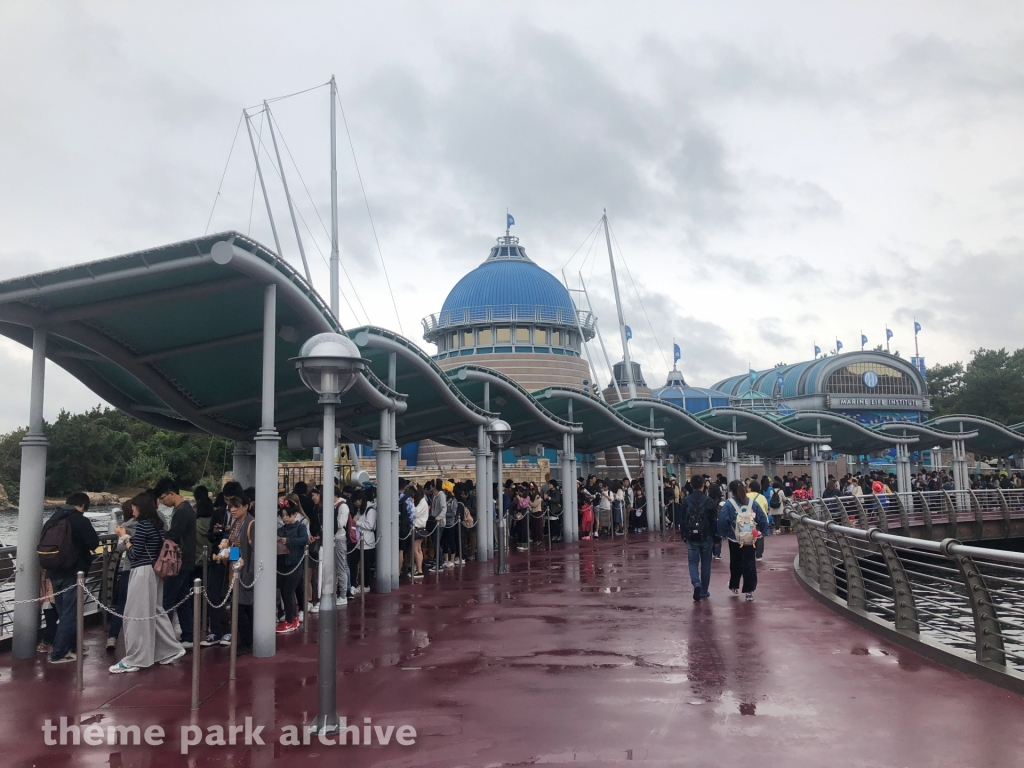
<point x="266" y="546"/>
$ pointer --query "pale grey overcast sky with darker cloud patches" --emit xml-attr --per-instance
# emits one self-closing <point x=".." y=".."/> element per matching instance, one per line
<point x="777" y="175"/>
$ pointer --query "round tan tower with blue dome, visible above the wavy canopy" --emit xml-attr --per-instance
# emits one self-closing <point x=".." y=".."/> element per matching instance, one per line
<point x="515" y="317"/>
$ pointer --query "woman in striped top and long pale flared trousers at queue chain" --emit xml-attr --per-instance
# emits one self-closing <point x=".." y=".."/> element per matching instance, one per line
<point x="149" y="634"/>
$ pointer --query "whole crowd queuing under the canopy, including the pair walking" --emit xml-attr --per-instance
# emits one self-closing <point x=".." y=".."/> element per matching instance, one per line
<point x="167" y="540"/>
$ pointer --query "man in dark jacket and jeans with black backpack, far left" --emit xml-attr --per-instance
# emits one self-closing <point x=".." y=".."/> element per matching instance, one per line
<point x="66" y="548"/>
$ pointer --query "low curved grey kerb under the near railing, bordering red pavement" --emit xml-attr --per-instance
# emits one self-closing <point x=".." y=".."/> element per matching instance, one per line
<point x="935" y="652"/>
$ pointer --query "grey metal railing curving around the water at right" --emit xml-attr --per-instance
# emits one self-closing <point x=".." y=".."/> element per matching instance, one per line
<point x="959" y="605"/>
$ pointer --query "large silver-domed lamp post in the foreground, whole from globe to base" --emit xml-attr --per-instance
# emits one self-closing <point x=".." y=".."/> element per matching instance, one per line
<point x="329" y="364"/>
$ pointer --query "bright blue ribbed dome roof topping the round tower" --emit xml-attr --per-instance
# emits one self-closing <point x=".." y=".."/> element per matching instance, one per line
<point x="507" y="279"/>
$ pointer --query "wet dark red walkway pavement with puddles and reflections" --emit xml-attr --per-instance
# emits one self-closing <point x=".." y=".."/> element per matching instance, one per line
<point x="587" y="656"/>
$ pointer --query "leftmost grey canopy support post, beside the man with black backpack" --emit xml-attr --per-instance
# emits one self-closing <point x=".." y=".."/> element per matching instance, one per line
<point x="30" y="508"/>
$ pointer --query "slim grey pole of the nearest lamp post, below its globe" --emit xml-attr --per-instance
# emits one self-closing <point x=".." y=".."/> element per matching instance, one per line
<point x="327" y="712"/>
